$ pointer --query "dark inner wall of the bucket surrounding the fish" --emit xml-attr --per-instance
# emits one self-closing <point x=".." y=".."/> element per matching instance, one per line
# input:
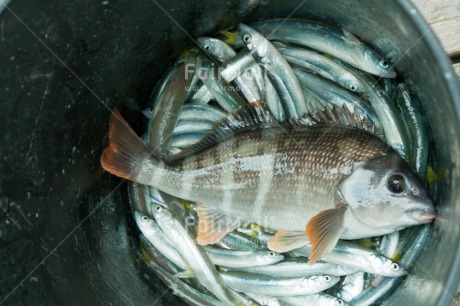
<point x="109" y="54"/>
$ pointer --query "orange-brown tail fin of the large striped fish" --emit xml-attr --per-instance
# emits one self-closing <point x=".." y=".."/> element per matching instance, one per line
<point x="126" y="152"/>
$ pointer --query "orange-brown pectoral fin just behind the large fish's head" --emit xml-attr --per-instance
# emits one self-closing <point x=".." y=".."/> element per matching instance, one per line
<point x="323" y="231"/>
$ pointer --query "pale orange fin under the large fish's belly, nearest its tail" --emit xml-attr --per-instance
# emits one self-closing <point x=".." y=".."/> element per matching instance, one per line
<point x="213" y="225"/>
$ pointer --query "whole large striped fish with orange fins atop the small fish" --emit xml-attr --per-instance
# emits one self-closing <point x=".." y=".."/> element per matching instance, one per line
<point x="332" y="181"/>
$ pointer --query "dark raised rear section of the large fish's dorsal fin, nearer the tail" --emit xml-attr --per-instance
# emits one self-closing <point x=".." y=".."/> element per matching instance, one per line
<point x="252" y="116"/>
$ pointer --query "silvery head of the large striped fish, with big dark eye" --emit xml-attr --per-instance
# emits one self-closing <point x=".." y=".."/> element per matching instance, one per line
<point x="384" y="193"/>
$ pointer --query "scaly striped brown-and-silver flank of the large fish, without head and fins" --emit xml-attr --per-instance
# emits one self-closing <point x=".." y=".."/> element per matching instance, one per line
<point x="298" y="160"/>
